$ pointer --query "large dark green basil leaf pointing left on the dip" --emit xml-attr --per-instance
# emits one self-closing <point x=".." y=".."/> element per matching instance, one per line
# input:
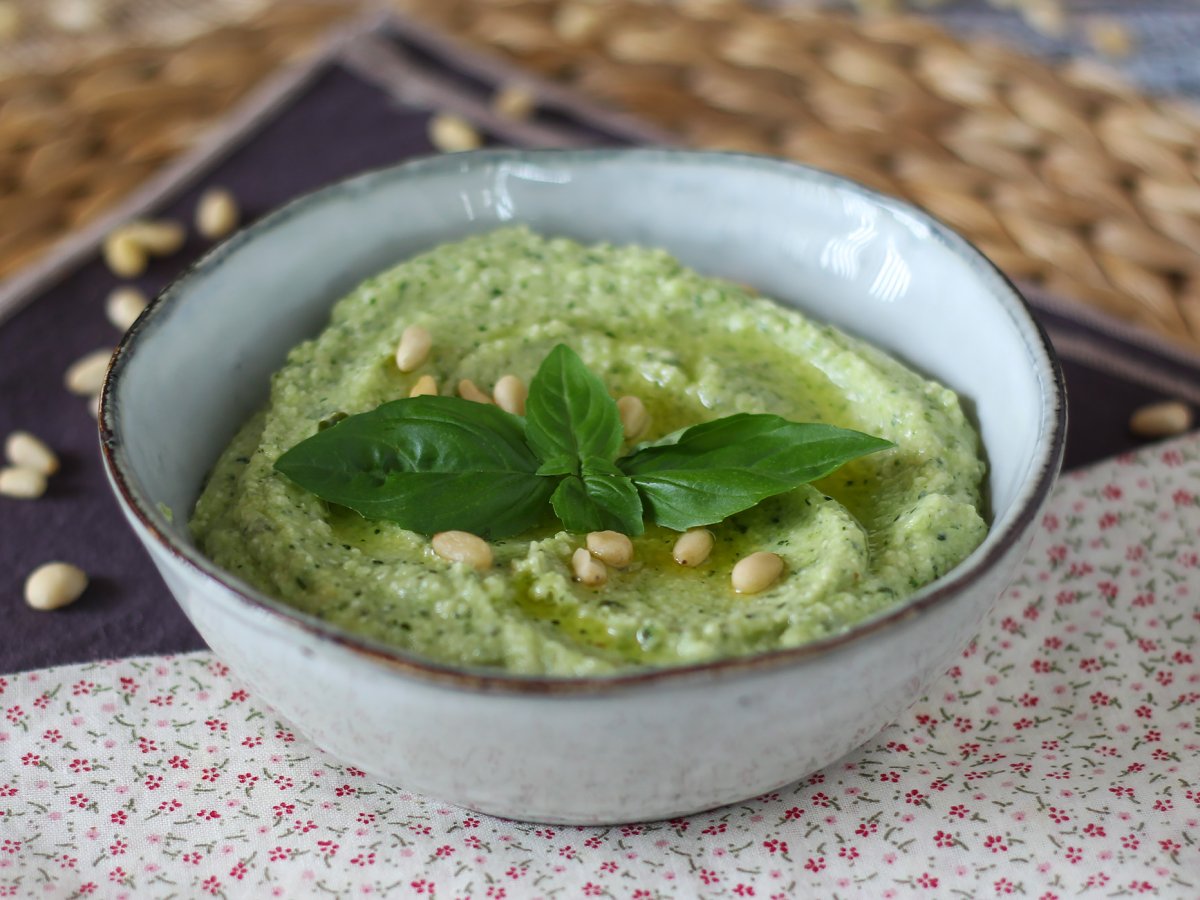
<point x="428" y="464"/>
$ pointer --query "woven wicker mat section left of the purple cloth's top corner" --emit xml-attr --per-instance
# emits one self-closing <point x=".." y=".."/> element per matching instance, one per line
<point x="75" y="142"/>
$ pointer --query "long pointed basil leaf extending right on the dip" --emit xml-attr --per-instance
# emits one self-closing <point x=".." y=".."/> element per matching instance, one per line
<point x="713" y="471"/>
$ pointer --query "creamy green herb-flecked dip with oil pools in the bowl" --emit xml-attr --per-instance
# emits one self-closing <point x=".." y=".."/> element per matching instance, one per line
<point x="693" y="350"/>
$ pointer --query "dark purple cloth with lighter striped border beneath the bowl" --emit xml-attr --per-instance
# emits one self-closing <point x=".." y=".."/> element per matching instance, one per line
<point x="358" y="107"/>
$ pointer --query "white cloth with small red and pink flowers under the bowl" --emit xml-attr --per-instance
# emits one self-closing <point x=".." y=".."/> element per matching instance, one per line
<point x="1060" y="758"/>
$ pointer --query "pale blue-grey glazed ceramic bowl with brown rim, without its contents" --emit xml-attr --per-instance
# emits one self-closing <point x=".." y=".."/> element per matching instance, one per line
<point x="638" y="747"/>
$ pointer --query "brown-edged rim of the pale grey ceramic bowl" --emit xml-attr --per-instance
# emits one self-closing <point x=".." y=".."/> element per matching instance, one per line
<point x="1031" y="494"/>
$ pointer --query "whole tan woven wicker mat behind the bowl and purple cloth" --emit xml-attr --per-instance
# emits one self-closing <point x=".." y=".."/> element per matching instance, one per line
<point x="1066" y="177"/>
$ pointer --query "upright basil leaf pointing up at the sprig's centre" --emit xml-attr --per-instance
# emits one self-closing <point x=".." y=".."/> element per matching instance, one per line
<point x="569" y="415"/>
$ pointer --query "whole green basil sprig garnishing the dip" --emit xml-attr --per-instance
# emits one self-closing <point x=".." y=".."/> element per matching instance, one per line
<point x="443" y="464"/>
